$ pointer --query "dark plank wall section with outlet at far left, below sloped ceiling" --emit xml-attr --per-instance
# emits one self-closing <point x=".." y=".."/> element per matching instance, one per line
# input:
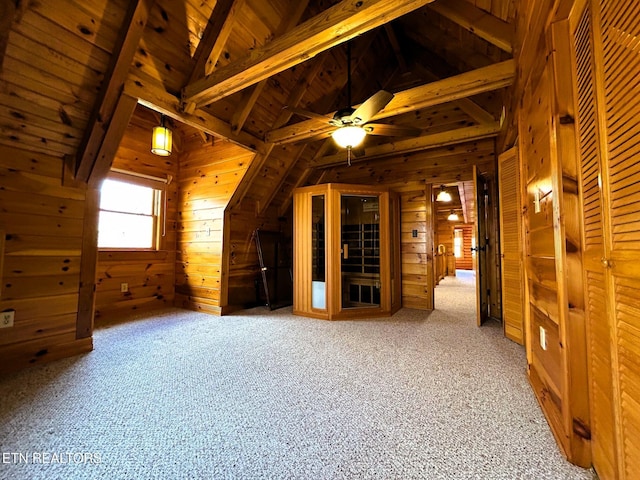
<point x="43" y="224"/>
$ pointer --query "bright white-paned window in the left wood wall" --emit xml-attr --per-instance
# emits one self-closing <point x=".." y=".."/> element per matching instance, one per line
<point x="130" y="213"/>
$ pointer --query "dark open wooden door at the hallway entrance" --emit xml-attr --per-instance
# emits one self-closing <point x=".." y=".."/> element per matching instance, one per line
<point x="480" y="250"/>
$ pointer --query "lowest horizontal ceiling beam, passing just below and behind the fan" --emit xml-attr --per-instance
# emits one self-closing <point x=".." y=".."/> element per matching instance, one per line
<point x="435" y="140"/>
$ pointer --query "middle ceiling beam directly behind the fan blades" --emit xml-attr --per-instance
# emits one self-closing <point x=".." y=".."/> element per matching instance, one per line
<point x="453" y="88"/>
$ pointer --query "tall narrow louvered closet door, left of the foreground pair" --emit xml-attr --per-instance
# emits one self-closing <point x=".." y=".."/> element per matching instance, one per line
<point x="599" y="323"/>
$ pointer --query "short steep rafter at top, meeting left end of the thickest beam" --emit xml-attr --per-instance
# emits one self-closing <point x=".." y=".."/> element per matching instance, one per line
<point x="214" y="37"/>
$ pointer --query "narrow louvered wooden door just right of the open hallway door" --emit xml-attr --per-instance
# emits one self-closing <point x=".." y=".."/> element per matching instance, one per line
<point x="511" y="250"/>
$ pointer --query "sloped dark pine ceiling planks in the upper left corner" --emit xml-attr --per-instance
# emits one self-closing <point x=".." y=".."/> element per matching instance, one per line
<point x="54" y="63"/>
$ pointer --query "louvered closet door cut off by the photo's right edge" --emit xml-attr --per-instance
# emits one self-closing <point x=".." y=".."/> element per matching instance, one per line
<point x="621" y="68"/>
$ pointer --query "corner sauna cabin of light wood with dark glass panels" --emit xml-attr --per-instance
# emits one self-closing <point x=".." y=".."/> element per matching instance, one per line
<point x="347" y="260"/>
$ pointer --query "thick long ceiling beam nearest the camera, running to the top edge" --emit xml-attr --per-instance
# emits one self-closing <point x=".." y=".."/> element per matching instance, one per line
<point x="326" y="30"/>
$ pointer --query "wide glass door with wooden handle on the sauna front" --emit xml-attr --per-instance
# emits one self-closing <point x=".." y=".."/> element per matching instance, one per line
<point x="360" y="250"/>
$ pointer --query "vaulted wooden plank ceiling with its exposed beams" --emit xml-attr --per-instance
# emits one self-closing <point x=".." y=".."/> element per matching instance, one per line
<point x="237" y="69"/>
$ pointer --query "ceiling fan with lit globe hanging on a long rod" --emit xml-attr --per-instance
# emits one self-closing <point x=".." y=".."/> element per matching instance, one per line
<point x="352" y="124"/>
